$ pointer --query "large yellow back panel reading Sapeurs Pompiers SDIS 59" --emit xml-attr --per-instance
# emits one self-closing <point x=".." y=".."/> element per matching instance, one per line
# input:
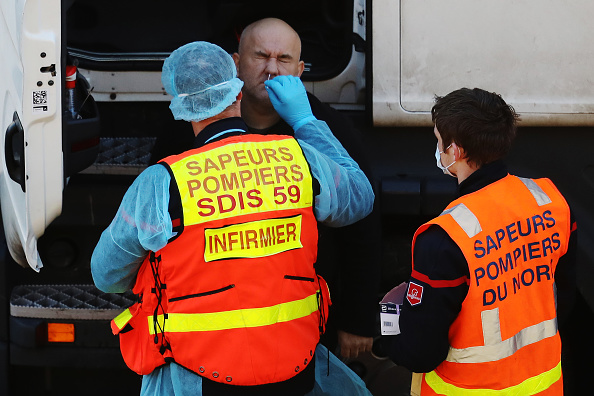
<point x="243" y="178"/>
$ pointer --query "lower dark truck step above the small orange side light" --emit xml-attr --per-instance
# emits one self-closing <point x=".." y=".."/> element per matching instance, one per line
<point x="84" y="302"/>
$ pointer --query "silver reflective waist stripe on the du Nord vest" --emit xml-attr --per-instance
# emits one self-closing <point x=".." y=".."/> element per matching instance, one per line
<point x="495" y="348"/>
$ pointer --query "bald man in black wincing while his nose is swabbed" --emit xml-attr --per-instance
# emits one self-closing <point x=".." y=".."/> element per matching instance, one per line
<point x="269" y="48"/>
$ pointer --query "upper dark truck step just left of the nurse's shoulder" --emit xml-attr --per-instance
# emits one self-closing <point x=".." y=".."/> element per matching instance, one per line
<point x="122" y="155"/>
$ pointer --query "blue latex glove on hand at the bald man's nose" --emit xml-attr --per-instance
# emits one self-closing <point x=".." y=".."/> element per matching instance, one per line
<point x="289" y="99"/>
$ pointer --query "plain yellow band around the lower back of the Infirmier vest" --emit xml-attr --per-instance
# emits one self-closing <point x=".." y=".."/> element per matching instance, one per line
<point x="240" y="318"/>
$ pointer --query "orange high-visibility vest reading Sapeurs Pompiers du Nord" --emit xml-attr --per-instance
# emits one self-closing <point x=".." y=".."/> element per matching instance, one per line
<point x="505" y="339"/>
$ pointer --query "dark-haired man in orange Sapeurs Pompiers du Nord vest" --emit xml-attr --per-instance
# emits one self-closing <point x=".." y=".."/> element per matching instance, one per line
<point x="480" y="313"/>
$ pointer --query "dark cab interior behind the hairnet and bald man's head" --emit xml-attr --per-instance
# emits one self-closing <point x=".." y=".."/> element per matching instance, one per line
<point x="133" y="30"/>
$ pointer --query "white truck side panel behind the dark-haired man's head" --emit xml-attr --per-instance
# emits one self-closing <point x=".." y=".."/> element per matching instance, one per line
<point x="536" y="54"/>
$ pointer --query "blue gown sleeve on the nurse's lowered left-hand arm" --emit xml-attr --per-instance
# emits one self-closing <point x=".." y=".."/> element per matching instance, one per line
<point x="141" y="224"/>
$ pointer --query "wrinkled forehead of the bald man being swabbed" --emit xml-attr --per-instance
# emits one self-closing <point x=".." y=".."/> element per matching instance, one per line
<point x="274" y="42"/>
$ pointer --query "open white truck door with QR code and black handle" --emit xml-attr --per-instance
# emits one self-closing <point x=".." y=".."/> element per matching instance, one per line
<point x="31" y="174"/>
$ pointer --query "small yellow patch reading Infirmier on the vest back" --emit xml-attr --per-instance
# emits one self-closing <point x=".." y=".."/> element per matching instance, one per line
<point x="254" y="239"/>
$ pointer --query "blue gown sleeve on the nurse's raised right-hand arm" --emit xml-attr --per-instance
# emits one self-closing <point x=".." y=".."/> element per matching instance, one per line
<point x="346" y="195"/>
